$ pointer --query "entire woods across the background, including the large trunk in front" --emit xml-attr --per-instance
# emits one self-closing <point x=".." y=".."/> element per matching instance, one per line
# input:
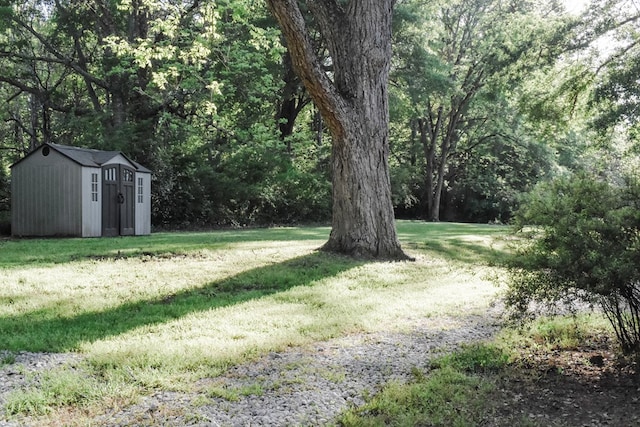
<point x="483" y="99"/>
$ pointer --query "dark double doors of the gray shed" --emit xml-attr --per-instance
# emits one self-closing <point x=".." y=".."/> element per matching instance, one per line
<point x="118" y="200"/>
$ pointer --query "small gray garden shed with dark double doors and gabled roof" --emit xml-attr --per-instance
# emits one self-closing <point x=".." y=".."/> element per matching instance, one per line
<point x="57" y="190"/>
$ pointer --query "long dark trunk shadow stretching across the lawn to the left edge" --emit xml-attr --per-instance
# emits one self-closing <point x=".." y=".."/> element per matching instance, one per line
<point x="45" y="331"/>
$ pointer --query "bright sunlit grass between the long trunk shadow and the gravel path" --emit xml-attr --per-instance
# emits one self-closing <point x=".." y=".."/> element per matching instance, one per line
<point x="361" y="297"/>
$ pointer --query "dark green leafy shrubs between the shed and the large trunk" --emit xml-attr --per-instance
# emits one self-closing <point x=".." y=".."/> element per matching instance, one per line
<point x="243" y="184"/>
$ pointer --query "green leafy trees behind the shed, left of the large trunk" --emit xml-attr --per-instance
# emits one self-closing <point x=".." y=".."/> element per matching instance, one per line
<point x="188" y="89"/>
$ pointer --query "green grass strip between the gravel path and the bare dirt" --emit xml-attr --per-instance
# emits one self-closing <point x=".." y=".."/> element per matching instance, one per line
<point x="463" y="388"/>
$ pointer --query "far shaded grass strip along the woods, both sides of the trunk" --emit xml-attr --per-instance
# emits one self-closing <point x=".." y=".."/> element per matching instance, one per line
<point x="479" y="243"/>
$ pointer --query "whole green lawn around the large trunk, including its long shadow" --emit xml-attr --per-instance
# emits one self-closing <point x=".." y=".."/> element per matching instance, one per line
<point x="163" y="310"/>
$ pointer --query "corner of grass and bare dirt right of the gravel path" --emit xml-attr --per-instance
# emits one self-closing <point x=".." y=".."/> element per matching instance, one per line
<point x="556" y="371"/>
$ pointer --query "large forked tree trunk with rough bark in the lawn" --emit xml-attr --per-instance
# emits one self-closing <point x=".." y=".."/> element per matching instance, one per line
<point x="355" y="108"/>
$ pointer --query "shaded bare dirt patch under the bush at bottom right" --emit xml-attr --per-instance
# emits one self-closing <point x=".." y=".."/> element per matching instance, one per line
<point x="591" y="385"/>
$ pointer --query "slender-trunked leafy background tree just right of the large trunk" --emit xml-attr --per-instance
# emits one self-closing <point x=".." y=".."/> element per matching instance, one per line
<point x="459" y="81"/>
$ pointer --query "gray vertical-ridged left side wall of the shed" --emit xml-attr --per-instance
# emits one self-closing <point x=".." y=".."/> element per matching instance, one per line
<point x="46" y="197"/>
